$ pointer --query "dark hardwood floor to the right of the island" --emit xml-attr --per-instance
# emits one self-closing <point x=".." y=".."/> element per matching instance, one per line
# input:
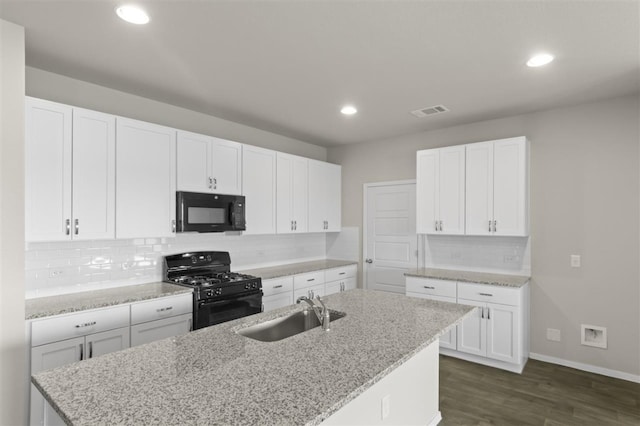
<point x="545" y="394"/>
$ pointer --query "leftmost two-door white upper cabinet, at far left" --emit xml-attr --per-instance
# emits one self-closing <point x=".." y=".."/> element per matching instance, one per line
<point x="70" y="173"/>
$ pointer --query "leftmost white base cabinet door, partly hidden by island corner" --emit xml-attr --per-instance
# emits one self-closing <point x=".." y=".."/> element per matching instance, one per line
<point x="46" y="357"/>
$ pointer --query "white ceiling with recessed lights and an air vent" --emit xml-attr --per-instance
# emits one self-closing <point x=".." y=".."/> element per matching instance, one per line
<point x="288" y="66"/>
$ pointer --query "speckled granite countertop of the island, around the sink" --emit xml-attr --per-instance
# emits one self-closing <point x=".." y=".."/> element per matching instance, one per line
<point x="215" y="376"/>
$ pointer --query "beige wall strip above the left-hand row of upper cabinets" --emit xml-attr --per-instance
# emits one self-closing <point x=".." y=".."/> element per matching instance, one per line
<point x="66" y="90"/>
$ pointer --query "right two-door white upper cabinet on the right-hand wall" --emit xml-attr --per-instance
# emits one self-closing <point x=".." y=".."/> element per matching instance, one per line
<point x="497" y="188"/>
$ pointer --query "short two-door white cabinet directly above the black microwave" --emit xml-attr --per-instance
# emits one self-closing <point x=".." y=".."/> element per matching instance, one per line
<point x="208" y="164"/>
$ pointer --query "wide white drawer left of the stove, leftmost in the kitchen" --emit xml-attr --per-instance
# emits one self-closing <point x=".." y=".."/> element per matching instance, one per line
<point x="78" y="324"/>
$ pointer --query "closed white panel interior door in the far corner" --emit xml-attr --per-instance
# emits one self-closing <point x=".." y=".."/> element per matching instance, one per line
<point x="391" y="240"/>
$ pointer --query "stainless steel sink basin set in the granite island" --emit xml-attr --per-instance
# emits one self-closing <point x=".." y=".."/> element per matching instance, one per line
<point x="283" y="327"/>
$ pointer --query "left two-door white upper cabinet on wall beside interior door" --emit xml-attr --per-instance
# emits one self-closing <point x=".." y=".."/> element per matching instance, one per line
<point x="440" y="190"/>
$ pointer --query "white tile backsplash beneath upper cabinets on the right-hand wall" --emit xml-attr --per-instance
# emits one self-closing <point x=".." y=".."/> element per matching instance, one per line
<point x="510" y="255"/>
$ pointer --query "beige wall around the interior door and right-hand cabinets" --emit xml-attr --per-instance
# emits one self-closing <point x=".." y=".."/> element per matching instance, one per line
<point x="585" y="198"/>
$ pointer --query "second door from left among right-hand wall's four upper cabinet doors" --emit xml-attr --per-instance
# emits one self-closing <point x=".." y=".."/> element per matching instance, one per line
<point x="451" y="191"/>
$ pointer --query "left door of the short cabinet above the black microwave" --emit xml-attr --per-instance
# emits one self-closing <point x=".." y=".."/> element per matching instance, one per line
<point x="193" y="168"/>
